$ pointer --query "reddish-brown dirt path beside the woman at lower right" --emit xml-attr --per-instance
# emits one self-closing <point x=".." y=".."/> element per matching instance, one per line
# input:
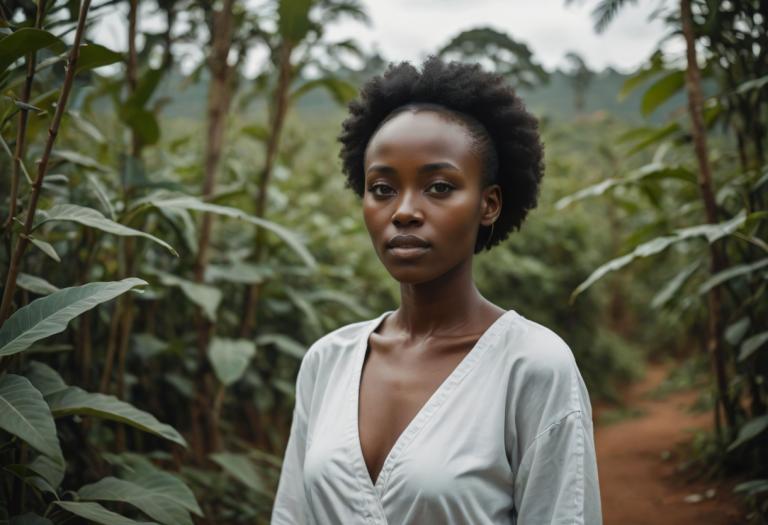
<point x="638" y="485"/>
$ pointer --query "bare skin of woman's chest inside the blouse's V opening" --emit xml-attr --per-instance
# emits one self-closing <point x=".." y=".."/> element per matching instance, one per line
<point x="394" y="387"/>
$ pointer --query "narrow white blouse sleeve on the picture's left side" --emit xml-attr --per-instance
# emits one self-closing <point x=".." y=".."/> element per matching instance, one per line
<point x="290" y="503"/>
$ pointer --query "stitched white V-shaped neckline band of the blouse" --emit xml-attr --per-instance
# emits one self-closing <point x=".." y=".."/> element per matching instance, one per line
<point x="427" y="409"/>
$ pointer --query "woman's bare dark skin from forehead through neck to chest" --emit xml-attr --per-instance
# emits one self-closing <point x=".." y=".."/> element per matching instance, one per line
<point x="423" y="177"/>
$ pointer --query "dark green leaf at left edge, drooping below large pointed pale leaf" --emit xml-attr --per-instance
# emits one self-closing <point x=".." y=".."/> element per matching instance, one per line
<point x="24" y="413"/>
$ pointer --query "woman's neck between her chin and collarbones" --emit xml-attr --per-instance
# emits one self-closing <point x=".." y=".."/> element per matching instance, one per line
<point x="451" y="301"/>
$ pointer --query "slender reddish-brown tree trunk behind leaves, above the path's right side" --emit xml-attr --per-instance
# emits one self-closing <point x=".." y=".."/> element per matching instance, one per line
<point x="716" y="257"/>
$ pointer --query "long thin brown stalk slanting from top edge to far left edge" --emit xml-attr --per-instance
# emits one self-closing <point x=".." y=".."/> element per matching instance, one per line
<point x="42" y="166"/>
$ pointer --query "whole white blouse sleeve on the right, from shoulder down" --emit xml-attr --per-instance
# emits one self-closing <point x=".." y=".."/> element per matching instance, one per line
<point x="554" y="455"/>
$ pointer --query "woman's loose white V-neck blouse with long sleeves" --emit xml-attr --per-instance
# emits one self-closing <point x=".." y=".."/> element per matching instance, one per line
<point x="507" y="438"/>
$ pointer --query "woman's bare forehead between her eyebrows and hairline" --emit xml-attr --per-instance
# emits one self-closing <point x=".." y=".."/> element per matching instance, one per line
<point x="422" y="135"/>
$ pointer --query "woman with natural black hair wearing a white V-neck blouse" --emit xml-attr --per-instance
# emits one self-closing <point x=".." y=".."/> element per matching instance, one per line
<point x="448" y="410"/>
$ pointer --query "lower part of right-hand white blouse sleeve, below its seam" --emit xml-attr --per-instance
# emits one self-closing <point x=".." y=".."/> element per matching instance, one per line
<point x="557" y="482"/>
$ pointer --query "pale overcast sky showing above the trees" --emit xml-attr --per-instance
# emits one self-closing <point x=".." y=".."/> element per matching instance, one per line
<point x="411" y="29"/>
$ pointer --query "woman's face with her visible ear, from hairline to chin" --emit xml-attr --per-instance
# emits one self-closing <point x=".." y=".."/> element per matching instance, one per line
<point x="423" y="201"/>
